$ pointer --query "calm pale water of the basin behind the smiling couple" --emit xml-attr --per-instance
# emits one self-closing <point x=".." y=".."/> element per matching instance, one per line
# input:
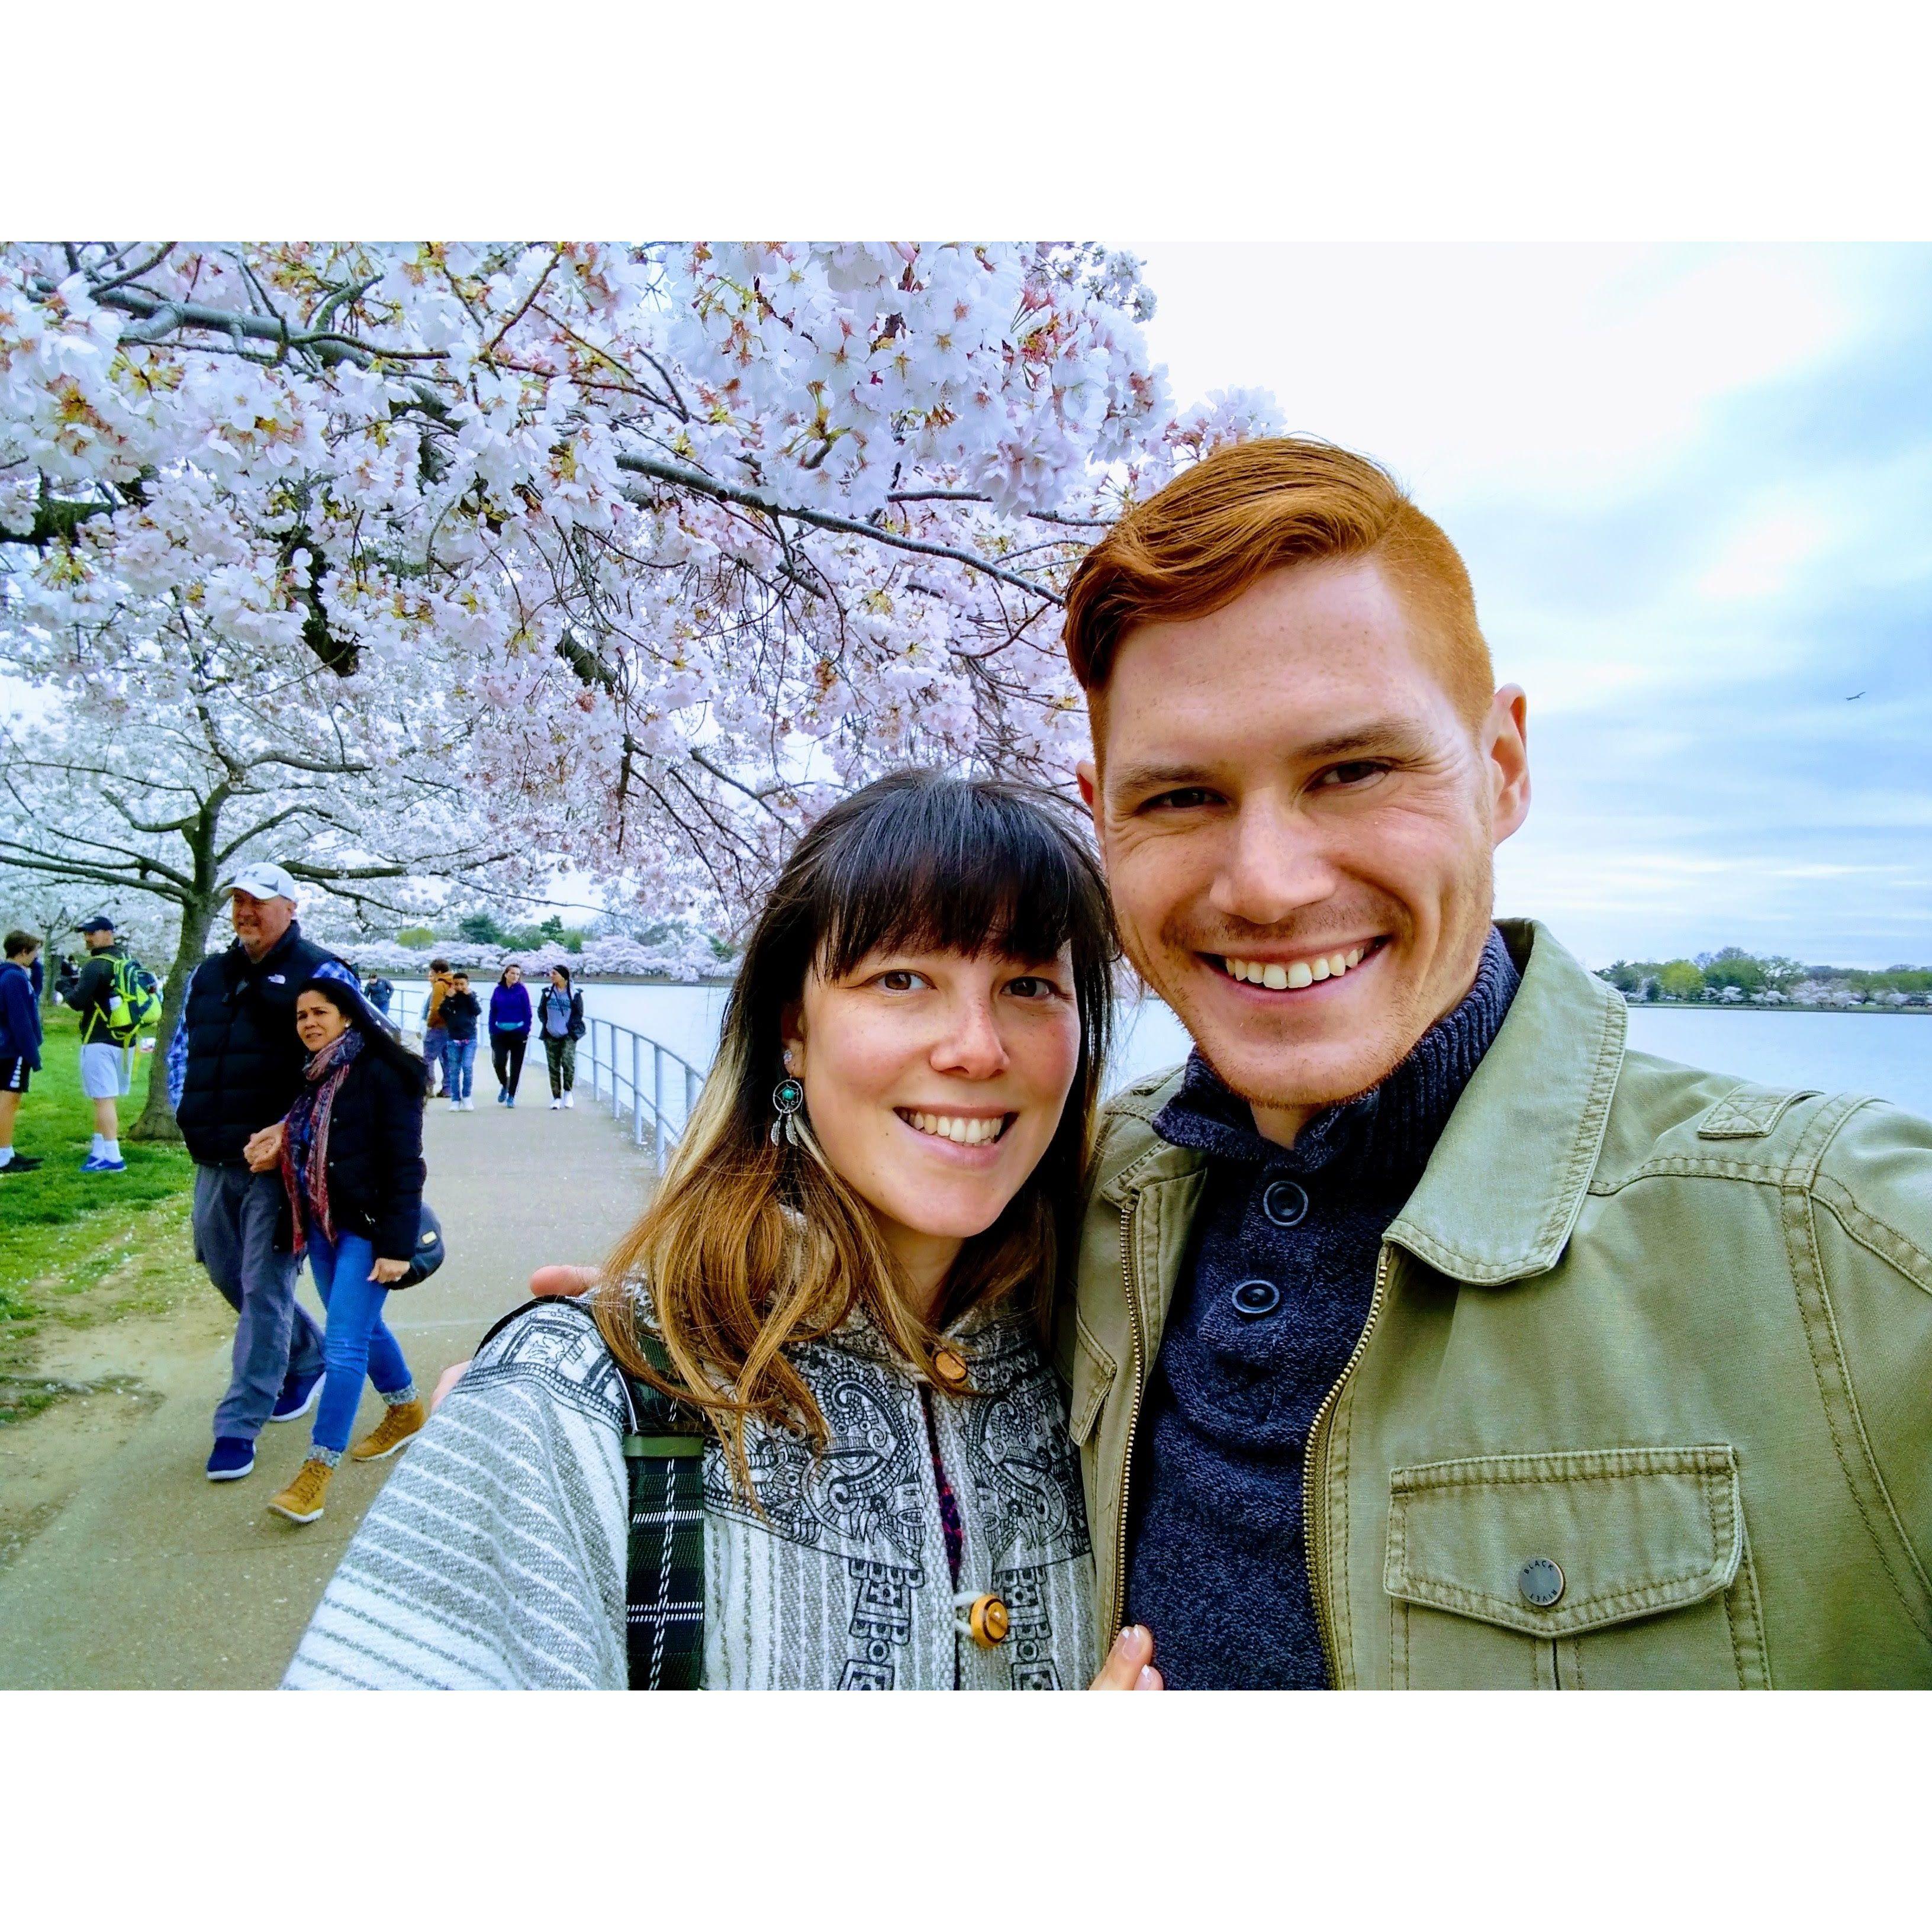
<point x="1879" y="1054"/>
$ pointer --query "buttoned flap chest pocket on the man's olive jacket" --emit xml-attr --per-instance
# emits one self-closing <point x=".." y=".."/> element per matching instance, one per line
<point x="1585" y="1570"/>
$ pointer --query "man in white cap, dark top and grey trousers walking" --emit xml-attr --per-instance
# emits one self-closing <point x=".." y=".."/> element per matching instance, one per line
<point x="235" y="1067"/>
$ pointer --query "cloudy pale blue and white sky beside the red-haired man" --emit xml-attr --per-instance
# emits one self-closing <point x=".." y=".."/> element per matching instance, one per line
<point x="1695" y="494"/>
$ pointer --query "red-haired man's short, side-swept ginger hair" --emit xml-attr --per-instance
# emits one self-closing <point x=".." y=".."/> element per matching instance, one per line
<point x="1197" y="546"/>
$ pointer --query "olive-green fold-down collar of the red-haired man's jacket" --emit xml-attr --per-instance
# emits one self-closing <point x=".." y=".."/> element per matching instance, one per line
<point x="1512" y="1170"/>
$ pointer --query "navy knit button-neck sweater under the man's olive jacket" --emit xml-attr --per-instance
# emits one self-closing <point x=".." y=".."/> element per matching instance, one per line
<point x="1272" y="1299"/>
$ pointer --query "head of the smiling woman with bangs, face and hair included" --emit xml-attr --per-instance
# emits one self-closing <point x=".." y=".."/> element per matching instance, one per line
<point x="934" y="967"/>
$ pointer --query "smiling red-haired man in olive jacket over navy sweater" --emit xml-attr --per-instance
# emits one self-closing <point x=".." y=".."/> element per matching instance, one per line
<point x="1425" y="1336"/>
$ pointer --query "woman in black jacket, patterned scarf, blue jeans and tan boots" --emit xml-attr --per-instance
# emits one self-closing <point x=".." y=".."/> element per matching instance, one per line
<point x="351" y="1162"/>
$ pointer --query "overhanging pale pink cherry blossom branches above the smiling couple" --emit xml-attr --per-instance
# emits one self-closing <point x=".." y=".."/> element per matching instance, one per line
<point x="673" y="540"/>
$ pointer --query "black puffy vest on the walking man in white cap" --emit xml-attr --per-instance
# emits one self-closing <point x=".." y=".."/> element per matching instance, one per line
<point x="244" y="1060"/>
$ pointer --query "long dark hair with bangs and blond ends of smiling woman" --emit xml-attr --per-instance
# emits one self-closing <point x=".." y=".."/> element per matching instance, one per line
<point x="753" y="1245"/>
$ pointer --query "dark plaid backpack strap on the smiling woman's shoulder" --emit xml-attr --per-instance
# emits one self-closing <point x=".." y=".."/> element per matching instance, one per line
<point x="666" y="1593"/>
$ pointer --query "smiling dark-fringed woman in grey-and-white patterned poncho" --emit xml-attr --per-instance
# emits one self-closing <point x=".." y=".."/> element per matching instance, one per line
<point x="814" y="1425"/>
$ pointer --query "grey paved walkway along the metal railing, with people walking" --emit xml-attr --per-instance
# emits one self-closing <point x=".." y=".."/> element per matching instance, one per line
<point x="152" y="1577"/>
